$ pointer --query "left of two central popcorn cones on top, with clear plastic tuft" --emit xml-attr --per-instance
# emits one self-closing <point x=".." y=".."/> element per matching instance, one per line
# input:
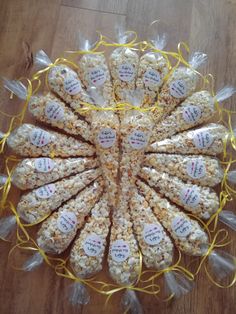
<point x="106" y="133"/>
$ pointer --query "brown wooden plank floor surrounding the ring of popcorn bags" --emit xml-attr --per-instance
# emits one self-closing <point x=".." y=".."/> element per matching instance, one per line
<point x="53" y="25"/>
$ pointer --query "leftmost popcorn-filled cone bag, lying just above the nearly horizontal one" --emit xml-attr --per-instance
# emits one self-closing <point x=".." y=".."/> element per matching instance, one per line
<point x="31" y="141"/>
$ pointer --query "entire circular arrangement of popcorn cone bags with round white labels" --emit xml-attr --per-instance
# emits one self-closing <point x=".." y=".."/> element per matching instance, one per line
<point x="124" y="152"/>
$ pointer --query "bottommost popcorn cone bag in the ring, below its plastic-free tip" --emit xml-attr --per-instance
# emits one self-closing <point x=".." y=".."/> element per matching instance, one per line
<point x="123" y="258"/>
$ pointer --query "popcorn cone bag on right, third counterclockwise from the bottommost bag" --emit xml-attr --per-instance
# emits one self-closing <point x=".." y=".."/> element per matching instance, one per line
<point x="201" y="201"/>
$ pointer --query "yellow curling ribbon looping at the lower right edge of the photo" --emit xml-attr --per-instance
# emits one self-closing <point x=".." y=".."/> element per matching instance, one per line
<point x="222" y="242"/>
